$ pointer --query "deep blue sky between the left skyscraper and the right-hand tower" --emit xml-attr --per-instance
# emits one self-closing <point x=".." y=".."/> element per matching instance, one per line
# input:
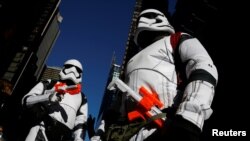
<point x="91" y="31"/>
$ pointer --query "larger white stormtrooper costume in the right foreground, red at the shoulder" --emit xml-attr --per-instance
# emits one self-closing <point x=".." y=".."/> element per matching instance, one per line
<point x="154" y="68"/>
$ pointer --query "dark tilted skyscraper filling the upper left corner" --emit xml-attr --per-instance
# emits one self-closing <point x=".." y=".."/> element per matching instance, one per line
<point x="28" y="32"/>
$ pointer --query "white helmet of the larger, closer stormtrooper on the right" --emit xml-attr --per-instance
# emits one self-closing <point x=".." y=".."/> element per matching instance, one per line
<point x="152" y="20"/>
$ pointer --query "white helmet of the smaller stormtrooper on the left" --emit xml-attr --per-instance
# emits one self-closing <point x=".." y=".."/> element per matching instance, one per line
<point x="72" y="71"/>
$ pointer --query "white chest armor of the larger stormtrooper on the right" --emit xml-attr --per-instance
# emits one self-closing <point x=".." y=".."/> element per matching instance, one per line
<point x="153" y="68"/>
